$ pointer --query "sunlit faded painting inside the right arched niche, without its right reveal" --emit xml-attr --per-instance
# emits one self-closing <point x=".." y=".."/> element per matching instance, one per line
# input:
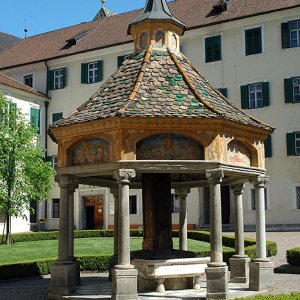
<point x="239" y="154"/>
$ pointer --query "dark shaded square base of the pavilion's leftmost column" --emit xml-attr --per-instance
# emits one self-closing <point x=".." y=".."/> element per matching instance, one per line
<point x="63" y="279"/>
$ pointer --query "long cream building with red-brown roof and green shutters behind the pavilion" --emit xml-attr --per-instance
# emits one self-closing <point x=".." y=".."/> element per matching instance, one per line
<point x="249" y="51"/>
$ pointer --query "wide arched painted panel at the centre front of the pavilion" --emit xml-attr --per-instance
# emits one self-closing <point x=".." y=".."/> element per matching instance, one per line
<point x="169" y="147"/>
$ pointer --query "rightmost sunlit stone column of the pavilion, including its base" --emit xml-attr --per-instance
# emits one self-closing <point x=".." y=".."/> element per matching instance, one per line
<point x="261" y="269"/>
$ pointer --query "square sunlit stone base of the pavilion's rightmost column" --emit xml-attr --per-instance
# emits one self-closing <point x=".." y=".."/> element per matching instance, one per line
<point x="261" y="275"/>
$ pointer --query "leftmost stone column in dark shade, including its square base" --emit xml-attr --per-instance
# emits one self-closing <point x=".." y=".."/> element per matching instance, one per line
<point x="63" y="272"/>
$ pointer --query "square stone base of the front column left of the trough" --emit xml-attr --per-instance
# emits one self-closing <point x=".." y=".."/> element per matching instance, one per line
<point x="124" y="284"/>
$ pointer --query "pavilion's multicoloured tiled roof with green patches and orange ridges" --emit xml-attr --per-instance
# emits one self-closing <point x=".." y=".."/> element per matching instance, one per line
<point x="158" y="83"/>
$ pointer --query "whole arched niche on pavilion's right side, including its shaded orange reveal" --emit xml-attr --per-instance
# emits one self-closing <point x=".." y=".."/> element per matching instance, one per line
<point x="241" y="153"/>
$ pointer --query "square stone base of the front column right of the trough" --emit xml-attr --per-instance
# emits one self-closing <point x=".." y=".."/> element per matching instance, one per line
<point x="217" y="281"/>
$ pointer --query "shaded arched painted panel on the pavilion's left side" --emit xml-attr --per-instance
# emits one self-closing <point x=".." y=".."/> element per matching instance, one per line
<point x="87" y="151"/>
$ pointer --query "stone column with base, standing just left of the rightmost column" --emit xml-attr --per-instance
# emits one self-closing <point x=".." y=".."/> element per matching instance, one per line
<point x="239" y="263"/>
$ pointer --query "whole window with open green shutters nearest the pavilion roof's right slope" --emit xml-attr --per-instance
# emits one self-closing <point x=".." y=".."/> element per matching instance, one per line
<point x="255" y="95"/>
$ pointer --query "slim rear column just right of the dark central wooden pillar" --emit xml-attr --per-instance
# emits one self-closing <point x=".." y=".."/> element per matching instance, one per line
<point x="182" y="193"/>
